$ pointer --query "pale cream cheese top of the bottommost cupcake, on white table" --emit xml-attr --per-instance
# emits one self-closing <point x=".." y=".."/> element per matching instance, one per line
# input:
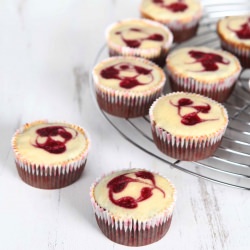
<point x="147" y="208"/>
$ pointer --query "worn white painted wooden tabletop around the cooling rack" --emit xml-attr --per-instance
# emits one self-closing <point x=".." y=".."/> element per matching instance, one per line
<point x="44" y="47"/>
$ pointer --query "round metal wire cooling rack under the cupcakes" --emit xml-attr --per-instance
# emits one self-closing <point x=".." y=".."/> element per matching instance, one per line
<point x="230" y="165"/>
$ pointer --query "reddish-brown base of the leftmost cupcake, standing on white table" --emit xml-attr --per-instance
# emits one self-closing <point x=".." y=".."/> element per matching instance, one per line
<point x="55" y="180"/>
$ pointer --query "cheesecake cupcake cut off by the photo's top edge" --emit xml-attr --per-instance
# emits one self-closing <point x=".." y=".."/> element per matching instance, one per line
<point x="182" y="17"/>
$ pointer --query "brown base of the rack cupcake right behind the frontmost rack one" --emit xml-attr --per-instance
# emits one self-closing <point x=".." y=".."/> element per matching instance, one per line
<point x="219" y="96"/>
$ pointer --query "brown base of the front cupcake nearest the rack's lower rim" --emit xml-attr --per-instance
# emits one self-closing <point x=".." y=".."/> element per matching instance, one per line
<point x="190" y="153"/>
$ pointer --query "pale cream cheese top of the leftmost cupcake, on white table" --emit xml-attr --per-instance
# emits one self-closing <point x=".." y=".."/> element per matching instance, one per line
<point x="26" y="149"/>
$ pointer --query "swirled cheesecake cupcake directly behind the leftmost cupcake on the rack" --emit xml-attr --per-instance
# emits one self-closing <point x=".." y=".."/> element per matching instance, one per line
<point x="139" y="37"/>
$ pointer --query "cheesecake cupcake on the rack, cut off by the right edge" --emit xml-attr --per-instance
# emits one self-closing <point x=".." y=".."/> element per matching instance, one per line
<point x="234" y="34"/>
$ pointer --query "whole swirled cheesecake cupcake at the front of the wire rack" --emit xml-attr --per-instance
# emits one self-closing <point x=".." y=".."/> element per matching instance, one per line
<point x="187" y="126"/>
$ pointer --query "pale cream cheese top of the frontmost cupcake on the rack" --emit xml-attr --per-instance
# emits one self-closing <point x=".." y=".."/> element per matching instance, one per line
<point x="165" y="115"/>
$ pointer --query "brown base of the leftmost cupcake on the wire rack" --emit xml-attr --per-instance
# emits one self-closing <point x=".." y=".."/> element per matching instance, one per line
<point x="121" y="109"/>
